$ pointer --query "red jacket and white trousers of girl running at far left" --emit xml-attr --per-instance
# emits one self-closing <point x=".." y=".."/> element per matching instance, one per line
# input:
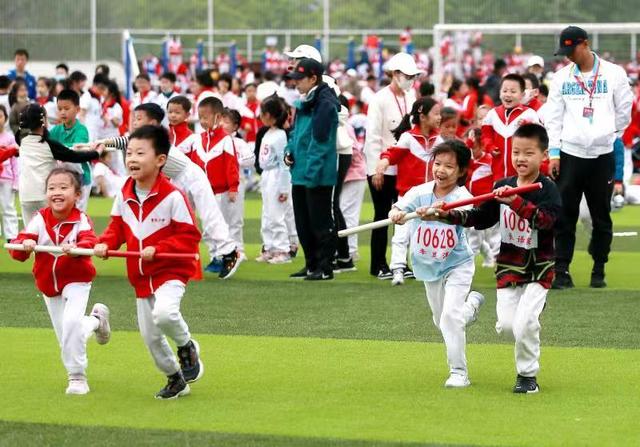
<point x="64" y="281"/>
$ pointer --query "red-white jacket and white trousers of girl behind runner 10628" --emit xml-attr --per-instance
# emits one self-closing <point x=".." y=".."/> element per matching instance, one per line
<point x="412" y="156"/>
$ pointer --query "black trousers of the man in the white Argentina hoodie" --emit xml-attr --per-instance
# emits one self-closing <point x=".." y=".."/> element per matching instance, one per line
<point x="594" y="178"/>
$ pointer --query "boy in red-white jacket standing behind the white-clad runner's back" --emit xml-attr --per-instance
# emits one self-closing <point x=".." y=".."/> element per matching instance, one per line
<point x="214" y="151"/>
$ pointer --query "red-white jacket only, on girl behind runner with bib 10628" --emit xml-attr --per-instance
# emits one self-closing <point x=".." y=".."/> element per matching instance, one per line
<point x="412" y="155"/>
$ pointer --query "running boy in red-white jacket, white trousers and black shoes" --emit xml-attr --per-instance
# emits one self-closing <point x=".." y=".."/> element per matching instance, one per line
<point x="151" y="215"/>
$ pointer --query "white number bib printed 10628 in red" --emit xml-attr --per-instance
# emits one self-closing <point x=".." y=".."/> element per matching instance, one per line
<point x="434" y="241"/>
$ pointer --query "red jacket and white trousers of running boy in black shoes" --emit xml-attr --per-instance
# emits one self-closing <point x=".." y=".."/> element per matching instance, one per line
<point x="159" y="218"/>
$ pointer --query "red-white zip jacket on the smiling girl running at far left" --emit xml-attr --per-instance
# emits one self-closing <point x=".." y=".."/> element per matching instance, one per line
<point x="54" y="272"/>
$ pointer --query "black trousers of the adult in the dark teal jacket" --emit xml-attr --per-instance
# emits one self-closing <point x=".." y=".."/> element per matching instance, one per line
<point x="313" y="211"/>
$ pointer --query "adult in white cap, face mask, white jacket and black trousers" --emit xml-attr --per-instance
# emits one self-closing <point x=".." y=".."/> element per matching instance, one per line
<point x="386" y="110"/>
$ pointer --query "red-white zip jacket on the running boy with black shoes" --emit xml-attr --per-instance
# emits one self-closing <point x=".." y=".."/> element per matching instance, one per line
<point x="163" y="220"/>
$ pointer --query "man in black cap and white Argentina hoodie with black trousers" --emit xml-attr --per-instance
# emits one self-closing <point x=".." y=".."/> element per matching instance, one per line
<point x="589" y="105"/>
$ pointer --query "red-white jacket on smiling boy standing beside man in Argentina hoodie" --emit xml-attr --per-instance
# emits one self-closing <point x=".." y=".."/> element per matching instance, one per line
<point x="497" y="131"/>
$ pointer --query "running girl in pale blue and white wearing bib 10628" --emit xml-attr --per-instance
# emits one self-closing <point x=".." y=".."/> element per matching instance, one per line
<point x="441" y="256"/>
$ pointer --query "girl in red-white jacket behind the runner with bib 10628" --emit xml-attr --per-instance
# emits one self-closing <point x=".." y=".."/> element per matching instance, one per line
<point x="412" y="155"/>
